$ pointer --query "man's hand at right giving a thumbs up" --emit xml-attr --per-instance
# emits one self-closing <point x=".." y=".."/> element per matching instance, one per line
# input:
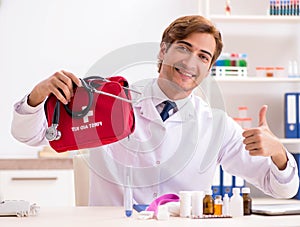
<point x="260" y="141"/>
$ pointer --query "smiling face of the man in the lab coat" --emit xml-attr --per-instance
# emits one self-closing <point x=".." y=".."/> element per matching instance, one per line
<point x="185" y="63"/>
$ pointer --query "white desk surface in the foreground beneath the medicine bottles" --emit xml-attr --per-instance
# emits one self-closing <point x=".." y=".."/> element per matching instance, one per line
<point x="114" y="216"/>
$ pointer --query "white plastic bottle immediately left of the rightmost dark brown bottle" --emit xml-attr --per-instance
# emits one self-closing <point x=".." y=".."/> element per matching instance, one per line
<point x="236" y="203"/>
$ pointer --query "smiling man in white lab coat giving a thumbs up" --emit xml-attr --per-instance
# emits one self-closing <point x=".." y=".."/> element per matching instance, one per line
<point x="178" y="150"/>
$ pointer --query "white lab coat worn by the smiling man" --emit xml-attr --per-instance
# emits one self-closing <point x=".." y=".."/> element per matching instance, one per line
<point x="179" y="154"/>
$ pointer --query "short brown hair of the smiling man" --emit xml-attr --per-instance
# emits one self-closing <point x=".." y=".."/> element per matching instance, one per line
<point x="184" y="26"/>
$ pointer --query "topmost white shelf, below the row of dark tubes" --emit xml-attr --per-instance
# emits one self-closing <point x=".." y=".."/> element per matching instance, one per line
<point x="255" y="19"/>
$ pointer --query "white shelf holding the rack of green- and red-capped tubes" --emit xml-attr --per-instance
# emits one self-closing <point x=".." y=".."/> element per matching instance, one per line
<point x="256" y="79"/>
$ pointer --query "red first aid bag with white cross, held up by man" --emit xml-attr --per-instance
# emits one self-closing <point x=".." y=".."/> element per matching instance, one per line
<point x="99" y="113"/>
